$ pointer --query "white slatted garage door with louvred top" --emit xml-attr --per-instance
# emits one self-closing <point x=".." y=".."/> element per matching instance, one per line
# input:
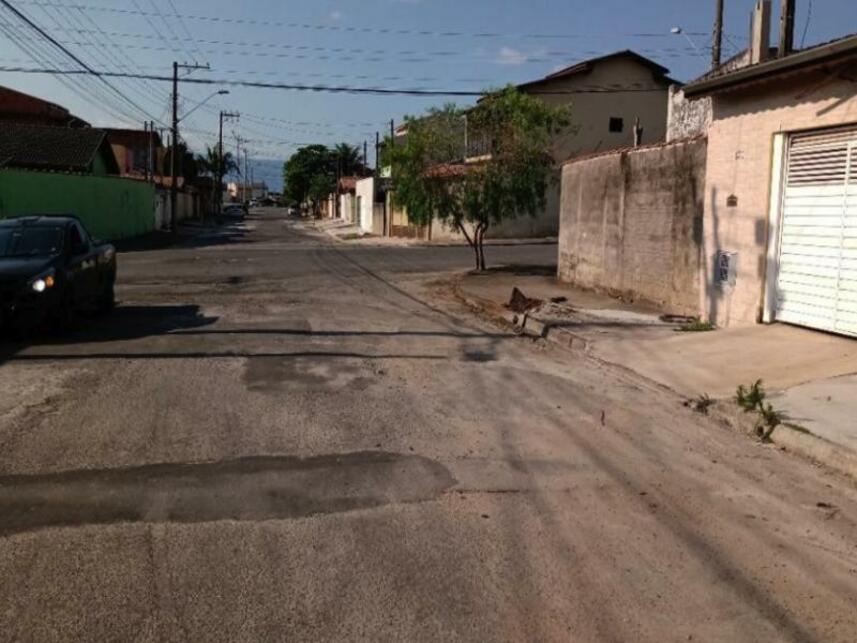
<point x="817" y="283"/>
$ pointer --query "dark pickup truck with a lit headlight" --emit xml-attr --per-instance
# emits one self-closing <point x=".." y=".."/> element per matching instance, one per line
<point x="50" y="270"/>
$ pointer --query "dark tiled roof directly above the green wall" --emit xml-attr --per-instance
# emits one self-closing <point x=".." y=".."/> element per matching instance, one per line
<point x="56" y="148"/>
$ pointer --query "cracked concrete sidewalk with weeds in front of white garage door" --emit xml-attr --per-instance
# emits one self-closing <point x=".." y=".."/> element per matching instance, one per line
<point x="809" y="375"/>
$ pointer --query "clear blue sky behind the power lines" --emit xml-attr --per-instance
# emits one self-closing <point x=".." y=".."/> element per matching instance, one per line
<point x="438" y="44"/>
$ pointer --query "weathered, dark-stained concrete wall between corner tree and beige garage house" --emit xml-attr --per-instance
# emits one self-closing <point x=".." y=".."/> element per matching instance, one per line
<point x="630" y="224"/>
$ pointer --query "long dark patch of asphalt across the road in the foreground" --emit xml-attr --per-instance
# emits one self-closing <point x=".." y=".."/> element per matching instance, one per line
<point x="250" y="489"/>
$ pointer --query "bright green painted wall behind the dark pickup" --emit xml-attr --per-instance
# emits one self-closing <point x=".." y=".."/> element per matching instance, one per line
<point x="111" y="208"/>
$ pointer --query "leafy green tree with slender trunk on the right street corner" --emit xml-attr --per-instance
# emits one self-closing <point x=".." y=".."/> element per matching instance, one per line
<point x="433" y="181"/>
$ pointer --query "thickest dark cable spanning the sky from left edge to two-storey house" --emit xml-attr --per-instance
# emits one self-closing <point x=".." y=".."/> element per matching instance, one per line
<point x="342" y="89"/>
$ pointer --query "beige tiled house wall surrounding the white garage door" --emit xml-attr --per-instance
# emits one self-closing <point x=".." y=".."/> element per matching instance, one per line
<point x="739" y="164"/>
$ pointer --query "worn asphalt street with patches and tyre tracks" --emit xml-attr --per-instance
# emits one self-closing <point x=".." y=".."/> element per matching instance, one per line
<point x="279" y="438"/>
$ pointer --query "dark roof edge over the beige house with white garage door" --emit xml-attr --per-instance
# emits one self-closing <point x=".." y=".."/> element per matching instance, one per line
<point x="728" y="77"/>
